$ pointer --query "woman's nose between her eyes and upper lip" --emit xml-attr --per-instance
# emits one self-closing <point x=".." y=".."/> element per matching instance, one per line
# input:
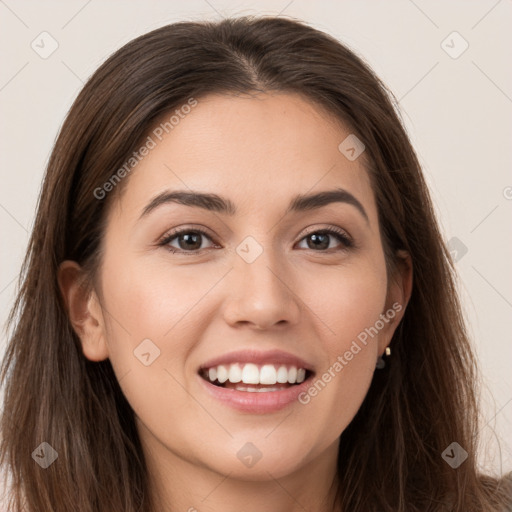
<point x="261" y="294"/>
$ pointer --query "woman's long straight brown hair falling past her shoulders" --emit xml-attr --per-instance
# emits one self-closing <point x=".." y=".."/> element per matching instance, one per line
<point x="425" y="399"/>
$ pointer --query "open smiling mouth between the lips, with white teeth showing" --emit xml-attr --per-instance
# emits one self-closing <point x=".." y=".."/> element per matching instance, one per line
<point x="255" y="378"/>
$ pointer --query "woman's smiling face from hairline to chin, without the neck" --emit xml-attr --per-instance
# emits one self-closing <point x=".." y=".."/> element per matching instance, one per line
<point x="266" y="291"/>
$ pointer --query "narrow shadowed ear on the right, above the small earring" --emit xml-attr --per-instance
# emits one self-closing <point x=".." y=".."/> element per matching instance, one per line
<point x="398" y="295"/>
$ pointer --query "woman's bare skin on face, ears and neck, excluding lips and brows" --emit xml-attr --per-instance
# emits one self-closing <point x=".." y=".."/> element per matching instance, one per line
<point x="259" y="152"/>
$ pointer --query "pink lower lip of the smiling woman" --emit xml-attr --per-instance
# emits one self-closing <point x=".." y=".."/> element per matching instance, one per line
<point x="256" y="402"/>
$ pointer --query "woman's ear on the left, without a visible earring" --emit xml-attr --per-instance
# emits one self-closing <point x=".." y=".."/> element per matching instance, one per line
<point x="84" y="311"/>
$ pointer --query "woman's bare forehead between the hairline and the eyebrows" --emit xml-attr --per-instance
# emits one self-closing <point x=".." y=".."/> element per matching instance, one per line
<point x="256" y="150"/>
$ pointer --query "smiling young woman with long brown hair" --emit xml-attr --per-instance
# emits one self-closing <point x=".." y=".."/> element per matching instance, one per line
<point x="236" y="295"/>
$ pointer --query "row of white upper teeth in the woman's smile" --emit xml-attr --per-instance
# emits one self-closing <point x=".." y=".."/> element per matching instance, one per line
<point x="250" y="373"/>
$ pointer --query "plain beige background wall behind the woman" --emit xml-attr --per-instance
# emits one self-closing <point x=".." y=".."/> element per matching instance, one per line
<point x="457" y="111"/>
